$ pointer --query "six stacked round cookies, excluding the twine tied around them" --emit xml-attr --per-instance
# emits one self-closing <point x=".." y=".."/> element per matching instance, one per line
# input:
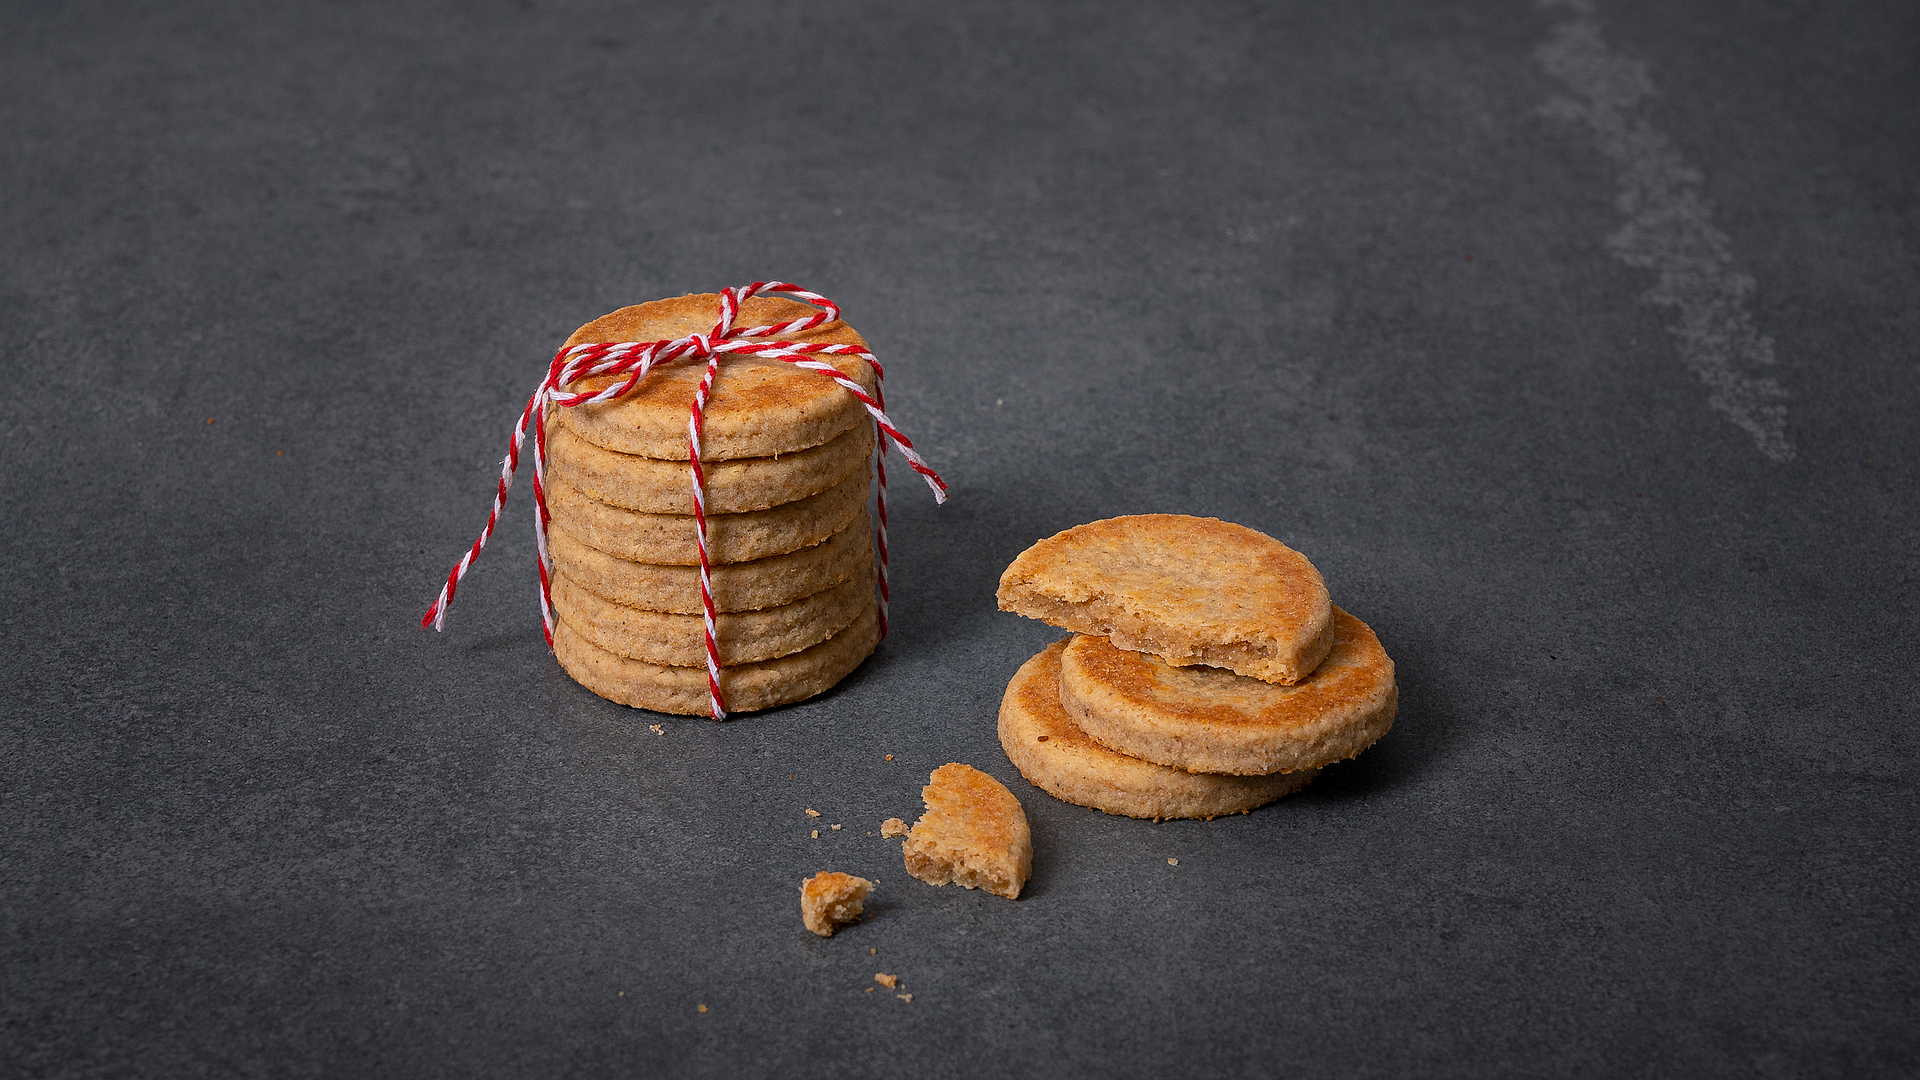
<point x="788" y="462"/>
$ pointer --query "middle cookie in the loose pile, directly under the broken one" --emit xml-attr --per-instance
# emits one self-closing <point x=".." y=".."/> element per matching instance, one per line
<point x="1218" y="722"/>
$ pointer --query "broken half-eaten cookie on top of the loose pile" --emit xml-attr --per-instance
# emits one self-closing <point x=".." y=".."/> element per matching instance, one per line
<point x="1184" y="589"/>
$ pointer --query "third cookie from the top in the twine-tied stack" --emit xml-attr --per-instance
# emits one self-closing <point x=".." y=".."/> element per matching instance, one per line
<point x="671" y="541"/>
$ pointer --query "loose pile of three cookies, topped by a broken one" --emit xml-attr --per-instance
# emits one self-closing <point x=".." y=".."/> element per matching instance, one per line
<point x="1209" y="674"/>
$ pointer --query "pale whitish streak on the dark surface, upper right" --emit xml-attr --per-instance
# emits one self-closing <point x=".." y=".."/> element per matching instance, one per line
<point x="1669" y="230"/>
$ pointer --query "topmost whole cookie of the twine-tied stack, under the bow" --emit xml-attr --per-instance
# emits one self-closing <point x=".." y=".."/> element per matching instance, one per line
<point x="759" y="408"/>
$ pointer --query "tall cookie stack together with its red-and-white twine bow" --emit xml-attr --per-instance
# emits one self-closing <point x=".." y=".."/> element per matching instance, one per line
<point x="702" y="470"/>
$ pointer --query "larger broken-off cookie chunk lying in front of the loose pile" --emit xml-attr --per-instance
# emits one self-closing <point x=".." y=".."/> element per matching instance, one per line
<point x="974" y="833"/>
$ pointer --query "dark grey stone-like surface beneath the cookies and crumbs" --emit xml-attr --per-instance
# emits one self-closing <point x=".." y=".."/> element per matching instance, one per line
<point x="1650" y="802"/>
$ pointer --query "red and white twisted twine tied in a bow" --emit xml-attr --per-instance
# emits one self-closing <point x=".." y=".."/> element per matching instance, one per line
<point x="636" y="360"/>
